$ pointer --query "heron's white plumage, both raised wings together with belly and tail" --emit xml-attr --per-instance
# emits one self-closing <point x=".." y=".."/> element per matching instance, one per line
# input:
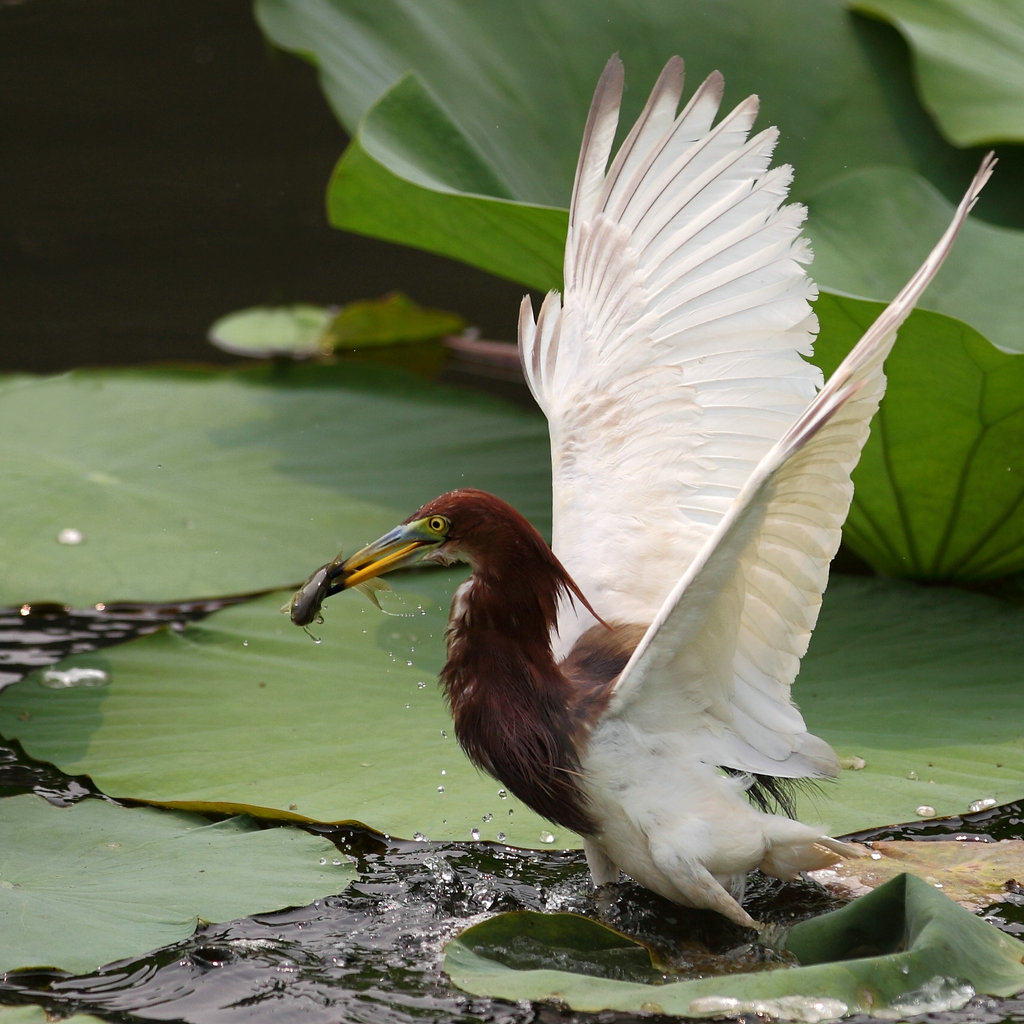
<point x="701" y="480"/>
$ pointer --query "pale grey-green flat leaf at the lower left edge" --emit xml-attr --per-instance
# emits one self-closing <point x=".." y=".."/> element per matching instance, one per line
<point x="93" y="883"/>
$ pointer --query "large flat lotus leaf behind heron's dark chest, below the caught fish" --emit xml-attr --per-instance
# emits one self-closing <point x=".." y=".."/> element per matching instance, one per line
<point x="923" y="685"/>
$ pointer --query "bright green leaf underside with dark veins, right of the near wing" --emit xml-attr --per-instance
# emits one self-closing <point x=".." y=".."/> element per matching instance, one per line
<point x="940" y="490"/>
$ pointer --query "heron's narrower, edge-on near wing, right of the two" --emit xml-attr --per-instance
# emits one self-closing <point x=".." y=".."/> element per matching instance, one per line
<point x="719" y="659"/>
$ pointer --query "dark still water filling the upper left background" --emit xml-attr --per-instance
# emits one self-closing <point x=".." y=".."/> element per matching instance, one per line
<point x="163" y="165"/>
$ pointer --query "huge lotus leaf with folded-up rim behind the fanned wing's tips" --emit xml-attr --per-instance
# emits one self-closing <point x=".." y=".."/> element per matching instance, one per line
<point x="461" y="154"/>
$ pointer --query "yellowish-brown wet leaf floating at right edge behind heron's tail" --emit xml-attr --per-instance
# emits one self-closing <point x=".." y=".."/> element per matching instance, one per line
<point x="975" y="875"/>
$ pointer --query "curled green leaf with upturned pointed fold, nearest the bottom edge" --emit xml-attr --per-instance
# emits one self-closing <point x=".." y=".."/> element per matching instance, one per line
<point x="905" y="949"/>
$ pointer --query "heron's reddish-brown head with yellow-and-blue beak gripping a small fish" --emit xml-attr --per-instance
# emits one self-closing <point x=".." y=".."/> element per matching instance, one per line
<point x="465" y="526"/>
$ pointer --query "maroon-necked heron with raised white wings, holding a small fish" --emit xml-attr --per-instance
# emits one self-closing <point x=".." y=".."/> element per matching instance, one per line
<point x="632" y="681"/>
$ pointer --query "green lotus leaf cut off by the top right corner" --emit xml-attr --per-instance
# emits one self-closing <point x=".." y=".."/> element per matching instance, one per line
<point x="969" y="59"/>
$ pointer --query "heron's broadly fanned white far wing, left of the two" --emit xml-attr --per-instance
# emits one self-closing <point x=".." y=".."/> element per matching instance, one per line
<point x="674" y="362"/>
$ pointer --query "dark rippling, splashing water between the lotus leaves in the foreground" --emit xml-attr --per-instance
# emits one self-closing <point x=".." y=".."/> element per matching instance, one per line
<point x="374" y="954"/>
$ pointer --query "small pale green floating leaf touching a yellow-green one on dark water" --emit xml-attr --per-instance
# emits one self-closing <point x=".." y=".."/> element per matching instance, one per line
<point x="267" y="331"/>
